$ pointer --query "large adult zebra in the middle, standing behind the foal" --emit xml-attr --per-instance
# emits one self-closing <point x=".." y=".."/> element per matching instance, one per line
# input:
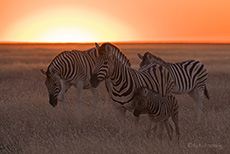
<point x="112" y="64"/>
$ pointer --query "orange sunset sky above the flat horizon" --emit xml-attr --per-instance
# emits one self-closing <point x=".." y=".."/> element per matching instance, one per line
<point x="115" y="21"/>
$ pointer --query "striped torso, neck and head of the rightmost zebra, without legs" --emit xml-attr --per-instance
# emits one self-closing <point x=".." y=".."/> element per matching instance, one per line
<point x="187" y="75"/>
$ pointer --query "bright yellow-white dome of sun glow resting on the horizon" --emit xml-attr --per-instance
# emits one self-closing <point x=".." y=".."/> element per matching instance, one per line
<point x="70" y="25"/>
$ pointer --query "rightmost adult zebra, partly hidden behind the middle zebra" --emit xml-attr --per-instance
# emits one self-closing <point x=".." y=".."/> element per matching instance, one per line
<point x="189" y="77"/>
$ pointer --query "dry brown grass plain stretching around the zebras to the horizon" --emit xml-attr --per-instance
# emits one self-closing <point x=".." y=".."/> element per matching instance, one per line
<point x="29" y="124"/>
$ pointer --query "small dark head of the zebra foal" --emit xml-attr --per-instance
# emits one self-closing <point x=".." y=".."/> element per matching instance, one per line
<point x="140" y="101"/>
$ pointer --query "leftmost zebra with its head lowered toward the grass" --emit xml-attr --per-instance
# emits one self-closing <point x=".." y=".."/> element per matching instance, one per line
<point x="70" y="68"/>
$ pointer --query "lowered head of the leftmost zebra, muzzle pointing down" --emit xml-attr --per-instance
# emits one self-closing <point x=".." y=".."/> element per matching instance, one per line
<point x="53" y="85"/>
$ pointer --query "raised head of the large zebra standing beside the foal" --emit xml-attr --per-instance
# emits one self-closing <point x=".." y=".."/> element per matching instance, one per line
<point x="103" y="65"/>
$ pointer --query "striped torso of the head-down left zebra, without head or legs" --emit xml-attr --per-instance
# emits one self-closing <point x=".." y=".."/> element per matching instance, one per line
<point x="73" y="65"/>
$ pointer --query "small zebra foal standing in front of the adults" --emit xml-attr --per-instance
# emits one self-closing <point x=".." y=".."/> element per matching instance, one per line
<point x="159" y="109"/>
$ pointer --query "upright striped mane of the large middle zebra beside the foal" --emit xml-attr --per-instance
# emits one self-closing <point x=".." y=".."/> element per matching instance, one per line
<point x="108" y="48"/>
